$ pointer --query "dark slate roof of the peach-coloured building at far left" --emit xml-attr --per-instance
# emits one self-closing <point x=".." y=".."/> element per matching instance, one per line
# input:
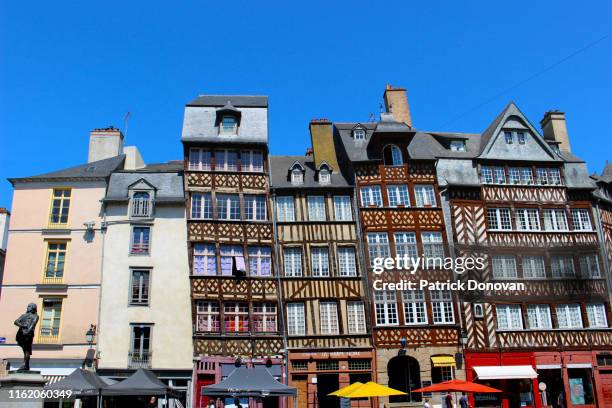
<point x="97" y="170"/>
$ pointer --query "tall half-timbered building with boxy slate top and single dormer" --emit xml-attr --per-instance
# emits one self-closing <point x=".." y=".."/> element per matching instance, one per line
<point x="233" y="284"/>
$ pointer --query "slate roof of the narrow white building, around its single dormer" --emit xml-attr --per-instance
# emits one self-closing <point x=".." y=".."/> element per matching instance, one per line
<point x="165" y="178"/>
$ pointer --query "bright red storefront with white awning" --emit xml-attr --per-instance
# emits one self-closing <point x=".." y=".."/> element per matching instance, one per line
<point x="514" y="373"/>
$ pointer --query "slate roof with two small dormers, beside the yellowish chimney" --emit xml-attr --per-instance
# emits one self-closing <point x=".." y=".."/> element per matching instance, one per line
<point x="279" y="167"/>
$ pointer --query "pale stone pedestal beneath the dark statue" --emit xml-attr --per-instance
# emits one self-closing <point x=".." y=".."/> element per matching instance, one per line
<point x="11" y="387"/>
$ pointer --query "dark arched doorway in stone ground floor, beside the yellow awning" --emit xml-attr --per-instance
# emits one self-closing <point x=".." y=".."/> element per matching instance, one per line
<point x="404" y="375"/>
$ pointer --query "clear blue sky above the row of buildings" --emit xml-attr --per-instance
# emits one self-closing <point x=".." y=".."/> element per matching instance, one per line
<point x="67" y="67"/>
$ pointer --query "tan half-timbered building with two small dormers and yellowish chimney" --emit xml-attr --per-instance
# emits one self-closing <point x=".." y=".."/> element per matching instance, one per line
<point x="328" y="338"/>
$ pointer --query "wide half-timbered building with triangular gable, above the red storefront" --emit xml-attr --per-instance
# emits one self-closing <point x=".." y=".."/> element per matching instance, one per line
<point x="522" y="202"/>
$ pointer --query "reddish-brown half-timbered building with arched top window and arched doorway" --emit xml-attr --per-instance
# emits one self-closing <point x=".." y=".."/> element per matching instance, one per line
<point x="416" y="333"/>
